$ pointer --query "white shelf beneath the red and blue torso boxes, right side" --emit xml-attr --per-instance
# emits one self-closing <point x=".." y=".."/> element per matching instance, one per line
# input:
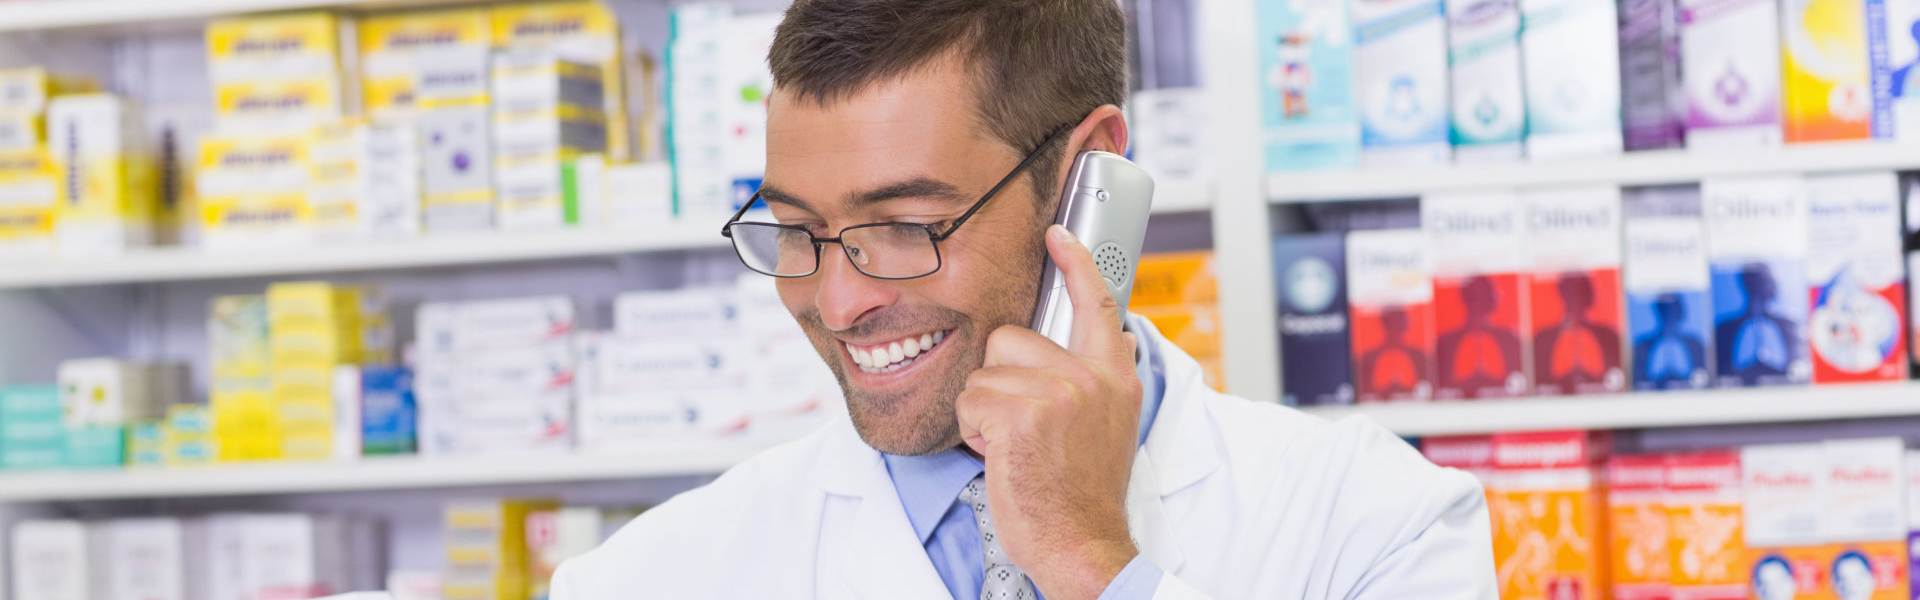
<point x="1641" y="411"/>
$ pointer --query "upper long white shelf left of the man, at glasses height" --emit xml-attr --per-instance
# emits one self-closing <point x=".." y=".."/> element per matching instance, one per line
<point x="435" y="251"/>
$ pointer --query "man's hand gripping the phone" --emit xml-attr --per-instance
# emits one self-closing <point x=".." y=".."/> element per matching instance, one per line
<point x="1059" y="430"/>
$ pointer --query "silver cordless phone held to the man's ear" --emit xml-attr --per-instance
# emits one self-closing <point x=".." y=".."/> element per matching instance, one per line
<point x="1105" y="205"/>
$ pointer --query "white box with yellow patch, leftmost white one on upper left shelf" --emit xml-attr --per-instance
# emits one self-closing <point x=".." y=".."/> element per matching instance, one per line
<point x="108" y="201"/>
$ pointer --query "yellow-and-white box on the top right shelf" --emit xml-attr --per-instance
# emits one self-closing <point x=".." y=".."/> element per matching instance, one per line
<point x="1827" y="72"/>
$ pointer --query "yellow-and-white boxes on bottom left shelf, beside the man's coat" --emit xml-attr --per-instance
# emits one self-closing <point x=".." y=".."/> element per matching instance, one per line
<point x="487" y="549"/>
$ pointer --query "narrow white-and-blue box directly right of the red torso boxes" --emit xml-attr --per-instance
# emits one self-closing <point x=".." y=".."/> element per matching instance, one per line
<point x="1669" y="311"/>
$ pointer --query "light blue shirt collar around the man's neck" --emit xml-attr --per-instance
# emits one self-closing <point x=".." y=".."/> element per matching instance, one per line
<point x="930" y="486"/>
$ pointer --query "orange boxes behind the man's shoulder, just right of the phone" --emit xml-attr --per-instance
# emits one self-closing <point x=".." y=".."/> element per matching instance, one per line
<point x="1178" y="293"/>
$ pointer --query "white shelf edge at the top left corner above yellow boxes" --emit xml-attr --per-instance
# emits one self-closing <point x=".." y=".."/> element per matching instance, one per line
<point x="66" y="14"/>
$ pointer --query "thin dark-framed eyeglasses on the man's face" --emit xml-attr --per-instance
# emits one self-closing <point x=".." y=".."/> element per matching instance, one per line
<point x="880" y="251"/>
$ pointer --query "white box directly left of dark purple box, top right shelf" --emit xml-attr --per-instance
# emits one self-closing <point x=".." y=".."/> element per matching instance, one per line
<point x="1573" y="78"/>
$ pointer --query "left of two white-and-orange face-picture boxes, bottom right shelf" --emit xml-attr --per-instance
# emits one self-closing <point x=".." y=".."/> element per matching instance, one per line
<point x="1785" y="489"/>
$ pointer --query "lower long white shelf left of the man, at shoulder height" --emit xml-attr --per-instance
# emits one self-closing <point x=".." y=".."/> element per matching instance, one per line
<point x="373" y="474"/>
